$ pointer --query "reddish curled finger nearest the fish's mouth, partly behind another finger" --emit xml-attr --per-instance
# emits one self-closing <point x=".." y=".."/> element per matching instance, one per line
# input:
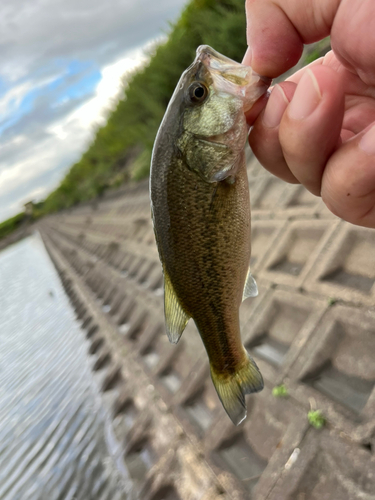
<point x="264" y="136"/>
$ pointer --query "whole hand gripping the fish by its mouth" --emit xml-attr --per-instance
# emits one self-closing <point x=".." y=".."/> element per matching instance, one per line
<point x="318" y="127"/>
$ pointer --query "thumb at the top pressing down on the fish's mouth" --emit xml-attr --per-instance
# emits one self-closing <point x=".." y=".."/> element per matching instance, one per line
<point x="277" y="30"/>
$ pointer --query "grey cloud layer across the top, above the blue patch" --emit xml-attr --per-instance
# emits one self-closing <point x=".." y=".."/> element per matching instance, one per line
<point x="33" y="33"/>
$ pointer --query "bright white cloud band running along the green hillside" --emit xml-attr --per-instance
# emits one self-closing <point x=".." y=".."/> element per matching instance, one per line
<point x="67" y="138"/>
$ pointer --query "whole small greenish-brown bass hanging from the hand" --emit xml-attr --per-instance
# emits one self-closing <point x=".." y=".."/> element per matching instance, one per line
<point x="200" y="210"/>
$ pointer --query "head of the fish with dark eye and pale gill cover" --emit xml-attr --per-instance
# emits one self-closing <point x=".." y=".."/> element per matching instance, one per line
<point x="213" y="95"/>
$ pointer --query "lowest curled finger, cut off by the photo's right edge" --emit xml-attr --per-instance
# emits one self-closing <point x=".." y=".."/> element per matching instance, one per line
<point x="348" y="186"/>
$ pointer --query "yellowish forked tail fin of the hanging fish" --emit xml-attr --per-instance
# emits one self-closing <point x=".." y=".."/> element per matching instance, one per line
<point x="232" y="388"/>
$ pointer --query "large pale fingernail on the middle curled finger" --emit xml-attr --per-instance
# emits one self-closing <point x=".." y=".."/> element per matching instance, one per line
<point x="306" y="97"/>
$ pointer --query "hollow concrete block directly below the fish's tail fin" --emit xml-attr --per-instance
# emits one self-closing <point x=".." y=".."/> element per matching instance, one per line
<point x="251" y="456"/>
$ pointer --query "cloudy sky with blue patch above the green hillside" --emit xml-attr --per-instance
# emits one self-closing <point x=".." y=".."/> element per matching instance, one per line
<point x="61" y="67"/>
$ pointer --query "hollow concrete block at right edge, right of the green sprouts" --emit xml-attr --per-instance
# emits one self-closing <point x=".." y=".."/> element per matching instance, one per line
<point x="335" y="371"/>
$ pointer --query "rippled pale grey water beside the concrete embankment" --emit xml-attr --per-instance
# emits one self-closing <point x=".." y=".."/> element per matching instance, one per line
<point x="54" y="431"/>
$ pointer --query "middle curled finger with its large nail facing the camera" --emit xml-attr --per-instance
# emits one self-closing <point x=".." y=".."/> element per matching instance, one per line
<point x="310" y="127"/>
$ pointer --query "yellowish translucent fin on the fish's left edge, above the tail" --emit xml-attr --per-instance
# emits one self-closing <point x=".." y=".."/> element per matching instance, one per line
<point x="175" y="317"/>
